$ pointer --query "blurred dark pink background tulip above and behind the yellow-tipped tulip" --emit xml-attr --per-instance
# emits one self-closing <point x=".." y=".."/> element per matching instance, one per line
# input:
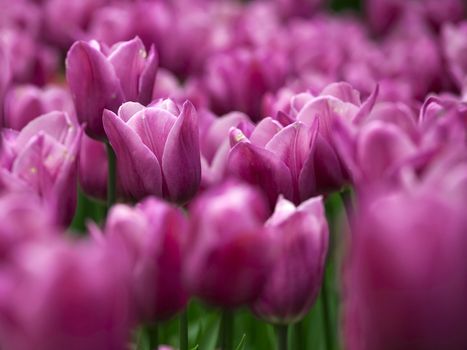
<point x="238" y="80"/>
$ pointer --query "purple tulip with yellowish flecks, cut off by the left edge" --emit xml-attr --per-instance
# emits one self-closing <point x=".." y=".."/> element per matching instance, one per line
<point x="42" y="159"/>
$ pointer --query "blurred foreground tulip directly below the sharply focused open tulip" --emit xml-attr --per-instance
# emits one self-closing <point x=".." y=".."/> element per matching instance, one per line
<point x="152" y="235"/>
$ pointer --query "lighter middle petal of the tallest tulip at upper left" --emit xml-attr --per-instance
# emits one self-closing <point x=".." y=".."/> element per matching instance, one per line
<point x="128" y="59"/>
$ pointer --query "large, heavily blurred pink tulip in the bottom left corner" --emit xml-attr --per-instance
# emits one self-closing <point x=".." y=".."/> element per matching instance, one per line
<point x="57" y="295"/>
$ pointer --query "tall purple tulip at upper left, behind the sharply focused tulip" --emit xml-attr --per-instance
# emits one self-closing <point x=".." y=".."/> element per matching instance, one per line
<point x="102" y="78"/>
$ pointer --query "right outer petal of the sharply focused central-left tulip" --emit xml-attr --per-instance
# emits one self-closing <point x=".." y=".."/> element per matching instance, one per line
<point x="181" y="164"/>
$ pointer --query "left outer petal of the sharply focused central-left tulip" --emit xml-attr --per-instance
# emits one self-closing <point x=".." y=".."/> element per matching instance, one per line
<point x="138" y="168"/>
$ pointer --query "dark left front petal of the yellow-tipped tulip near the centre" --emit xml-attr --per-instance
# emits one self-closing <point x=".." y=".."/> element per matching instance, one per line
<point x="261" y="168"/>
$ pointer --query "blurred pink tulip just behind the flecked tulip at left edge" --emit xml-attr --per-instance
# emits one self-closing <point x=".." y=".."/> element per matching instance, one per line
<point x="25" y="102"/>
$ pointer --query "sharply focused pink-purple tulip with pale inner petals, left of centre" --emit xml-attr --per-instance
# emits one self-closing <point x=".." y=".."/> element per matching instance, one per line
<point x="157" y="149"/>
